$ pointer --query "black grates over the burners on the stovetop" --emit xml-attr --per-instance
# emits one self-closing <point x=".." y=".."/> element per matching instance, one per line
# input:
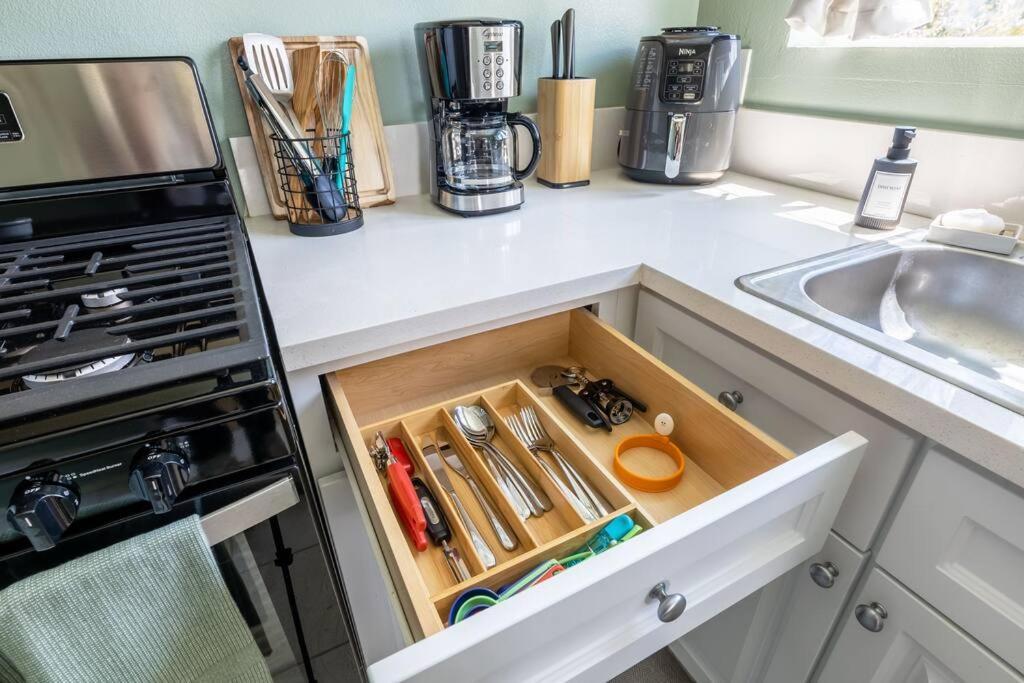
<point x="179" y="294"/>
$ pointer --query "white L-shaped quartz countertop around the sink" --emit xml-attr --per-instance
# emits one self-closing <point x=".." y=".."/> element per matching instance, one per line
<point x="415" y="273"/>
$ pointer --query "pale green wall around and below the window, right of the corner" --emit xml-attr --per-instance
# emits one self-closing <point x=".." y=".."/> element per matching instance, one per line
<point x="969" y="90"/>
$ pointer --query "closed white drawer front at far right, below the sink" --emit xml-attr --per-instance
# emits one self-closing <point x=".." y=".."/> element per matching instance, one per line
<point x="959" y="542"/>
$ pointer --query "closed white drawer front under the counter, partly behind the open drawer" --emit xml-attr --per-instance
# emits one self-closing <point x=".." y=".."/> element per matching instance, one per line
<point x="792" y="409"/>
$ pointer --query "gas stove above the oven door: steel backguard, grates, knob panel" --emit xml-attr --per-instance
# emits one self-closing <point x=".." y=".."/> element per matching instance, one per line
<point x="137" y="372"/>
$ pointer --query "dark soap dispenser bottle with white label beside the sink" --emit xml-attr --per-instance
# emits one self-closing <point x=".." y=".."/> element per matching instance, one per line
<point x="885" y="195"/>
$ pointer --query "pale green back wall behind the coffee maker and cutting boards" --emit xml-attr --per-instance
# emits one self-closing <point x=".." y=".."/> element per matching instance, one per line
<point x="608" y="36"/>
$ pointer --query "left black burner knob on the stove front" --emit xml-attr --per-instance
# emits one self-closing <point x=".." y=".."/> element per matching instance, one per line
<point x="44" y="508"/>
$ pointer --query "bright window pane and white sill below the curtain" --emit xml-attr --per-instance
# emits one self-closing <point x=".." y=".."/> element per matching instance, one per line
<point x="964" y="23"/>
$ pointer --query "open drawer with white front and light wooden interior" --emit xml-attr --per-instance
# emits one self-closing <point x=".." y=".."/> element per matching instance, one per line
<point x="746" y="511"/>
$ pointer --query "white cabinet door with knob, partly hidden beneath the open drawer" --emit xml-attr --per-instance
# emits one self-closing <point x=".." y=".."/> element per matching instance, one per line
<point x="776" y="635"/>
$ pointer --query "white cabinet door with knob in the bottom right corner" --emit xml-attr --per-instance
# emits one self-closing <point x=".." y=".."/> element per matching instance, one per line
<point x="912" y="644"/>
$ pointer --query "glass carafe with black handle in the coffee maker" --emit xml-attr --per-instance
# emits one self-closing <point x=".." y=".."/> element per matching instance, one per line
<point x="480" y="153"/>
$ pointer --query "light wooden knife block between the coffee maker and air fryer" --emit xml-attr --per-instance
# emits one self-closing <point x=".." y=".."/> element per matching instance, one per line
<point x="566" y="117"/>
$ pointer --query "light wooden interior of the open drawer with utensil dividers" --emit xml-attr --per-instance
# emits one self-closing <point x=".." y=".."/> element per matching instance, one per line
<point x="411" y="396"/>
